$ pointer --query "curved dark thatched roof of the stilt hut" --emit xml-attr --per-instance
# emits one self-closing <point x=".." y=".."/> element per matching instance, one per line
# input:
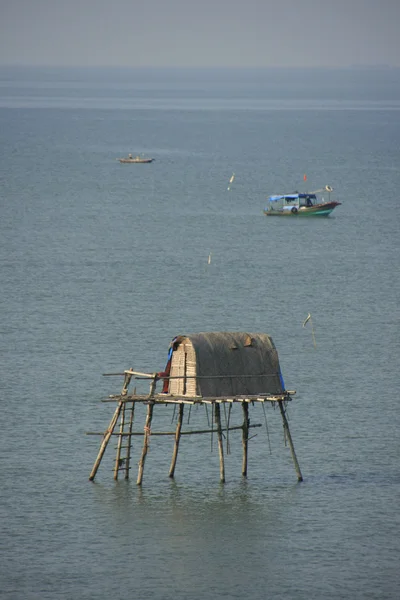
<point x="238" y="363"/>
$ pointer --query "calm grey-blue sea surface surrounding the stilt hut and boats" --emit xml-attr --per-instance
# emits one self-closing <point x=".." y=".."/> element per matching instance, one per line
<point x="102" y="264"/>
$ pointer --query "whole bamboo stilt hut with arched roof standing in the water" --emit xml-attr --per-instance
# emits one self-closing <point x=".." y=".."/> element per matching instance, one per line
<point x="203" y="368"/>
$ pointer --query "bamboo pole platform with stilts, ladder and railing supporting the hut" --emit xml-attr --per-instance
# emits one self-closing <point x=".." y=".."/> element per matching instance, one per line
<point x="123" y="419"/>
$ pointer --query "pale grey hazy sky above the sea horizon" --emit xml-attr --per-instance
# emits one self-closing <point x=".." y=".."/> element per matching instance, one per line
<point x="202" y="33"/>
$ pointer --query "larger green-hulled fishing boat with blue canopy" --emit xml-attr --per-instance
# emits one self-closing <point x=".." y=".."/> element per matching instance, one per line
<point x="302" y="205"/>
